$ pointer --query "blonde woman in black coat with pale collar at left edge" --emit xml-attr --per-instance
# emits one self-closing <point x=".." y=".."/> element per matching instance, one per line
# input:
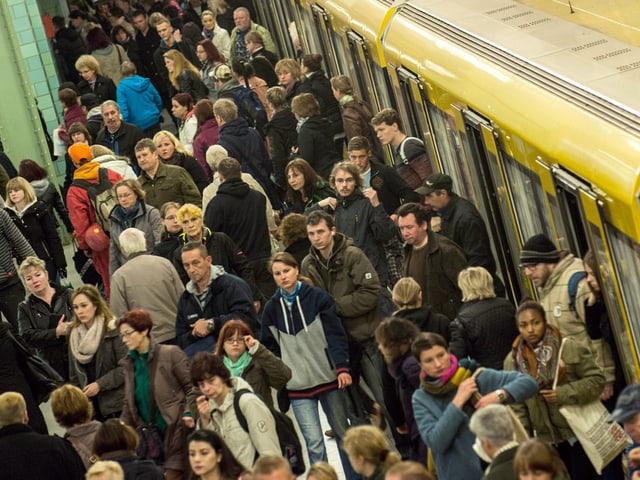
<point x="38" y="225"/>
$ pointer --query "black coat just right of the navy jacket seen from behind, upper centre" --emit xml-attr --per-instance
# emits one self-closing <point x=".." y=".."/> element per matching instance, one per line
<point x="282" y="136"/>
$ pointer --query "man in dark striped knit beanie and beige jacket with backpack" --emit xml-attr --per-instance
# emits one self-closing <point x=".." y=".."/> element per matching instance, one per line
<point x="562" y="285"/>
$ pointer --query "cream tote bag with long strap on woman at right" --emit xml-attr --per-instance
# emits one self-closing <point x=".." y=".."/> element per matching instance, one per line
<point x="601" y="438"/>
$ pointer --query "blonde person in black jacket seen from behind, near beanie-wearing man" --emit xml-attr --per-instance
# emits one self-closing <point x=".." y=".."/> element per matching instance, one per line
<point x="485" y="326"/>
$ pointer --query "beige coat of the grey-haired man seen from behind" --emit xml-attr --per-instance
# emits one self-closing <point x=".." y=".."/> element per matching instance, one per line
<point x="149" y="282"/>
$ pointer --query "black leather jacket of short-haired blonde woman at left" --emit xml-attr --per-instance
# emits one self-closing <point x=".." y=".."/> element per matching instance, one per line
<point x="37" y="322"/>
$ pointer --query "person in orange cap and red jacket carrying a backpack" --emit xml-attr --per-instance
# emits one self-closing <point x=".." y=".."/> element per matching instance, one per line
<point x="90" y="201"/>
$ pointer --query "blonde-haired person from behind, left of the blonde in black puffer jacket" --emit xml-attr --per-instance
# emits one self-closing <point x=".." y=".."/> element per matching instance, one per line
<point x="407" y="296"/>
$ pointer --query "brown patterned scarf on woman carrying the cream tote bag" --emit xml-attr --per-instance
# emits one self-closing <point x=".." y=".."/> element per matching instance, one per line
<point x="538" y="361"/>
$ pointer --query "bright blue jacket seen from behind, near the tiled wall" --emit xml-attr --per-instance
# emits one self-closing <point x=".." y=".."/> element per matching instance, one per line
<point x="139" y="101"/>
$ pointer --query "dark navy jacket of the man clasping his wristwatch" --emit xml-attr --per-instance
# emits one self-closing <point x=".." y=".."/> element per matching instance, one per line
<point x="228" y="297"/>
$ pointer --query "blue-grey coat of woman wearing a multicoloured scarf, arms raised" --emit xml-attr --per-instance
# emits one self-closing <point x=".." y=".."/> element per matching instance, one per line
<point x="445" y="428"/>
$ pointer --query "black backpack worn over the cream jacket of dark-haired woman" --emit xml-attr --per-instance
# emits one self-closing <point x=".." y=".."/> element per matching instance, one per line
<point x="290" y="445"/>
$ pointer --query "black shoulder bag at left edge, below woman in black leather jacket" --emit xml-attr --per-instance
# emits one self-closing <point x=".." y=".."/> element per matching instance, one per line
<point x="41" y="377"/>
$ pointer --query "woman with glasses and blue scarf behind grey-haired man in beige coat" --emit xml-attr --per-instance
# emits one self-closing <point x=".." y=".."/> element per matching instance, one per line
<point x="131" y="212"/>
